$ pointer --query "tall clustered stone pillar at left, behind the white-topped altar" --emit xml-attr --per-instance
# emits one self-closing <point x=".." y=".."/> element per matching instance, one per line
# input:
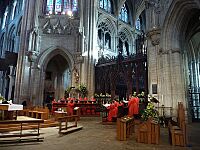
<point x="21" y="93"/>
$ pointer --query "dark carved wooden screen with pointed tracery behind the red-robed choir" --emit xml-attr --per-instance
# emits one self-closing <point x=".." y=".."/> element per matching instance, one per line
<point x="123" y="75"/>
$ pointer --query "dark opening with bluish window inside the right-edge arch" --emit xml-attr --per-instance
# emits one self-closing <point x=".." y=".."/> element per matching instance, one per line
<point x="192" y="55"/>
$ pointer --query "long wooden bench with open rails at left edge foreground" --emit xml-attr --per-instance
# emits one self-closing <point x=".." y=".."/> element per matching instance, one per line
<point x="6" y="137"/>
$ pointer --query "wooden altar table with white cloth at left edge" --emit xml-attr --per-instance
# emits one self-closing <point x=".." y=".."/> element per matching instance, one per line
<point x="7" y="111"/>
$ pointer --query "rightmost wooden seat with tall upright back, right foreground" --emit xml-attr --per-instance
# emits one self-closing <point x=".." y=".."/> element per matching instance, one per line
<point x="178" y="130"/>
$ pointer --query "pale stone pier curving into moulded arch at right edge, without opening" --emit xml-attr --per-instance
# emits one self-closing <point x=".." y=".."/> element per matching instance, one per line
<point x="173" y="76"/>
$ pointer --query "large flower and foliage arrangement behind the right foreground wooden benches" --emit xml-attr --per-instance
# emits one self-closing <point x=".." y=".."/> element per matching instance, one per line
<point x="150" y="112"/>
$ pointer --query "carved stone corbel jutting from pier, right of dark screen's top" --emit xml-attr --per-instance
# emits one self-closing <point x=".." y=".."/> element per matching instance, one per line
<point x="154" y="36"/>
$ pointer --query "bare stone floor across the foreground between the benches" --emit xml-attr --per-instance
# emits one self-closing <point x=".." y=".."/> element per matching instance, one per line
<point x="95" y="136"/>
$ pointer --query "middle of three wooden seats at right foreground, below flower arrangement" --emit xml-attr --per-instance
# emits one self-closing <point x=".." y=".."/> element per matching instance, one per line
<point x="148" y="132"/>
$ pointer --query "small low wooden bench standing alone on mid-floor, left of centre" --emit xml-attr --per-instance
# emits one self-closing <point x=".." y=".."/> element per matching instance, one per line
<point x="65" y="128"/>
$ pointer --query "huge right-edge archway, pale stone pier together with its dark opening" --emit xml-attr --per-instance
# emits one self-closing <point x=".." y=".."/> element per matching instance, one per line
<point x="181" y="26"/>
